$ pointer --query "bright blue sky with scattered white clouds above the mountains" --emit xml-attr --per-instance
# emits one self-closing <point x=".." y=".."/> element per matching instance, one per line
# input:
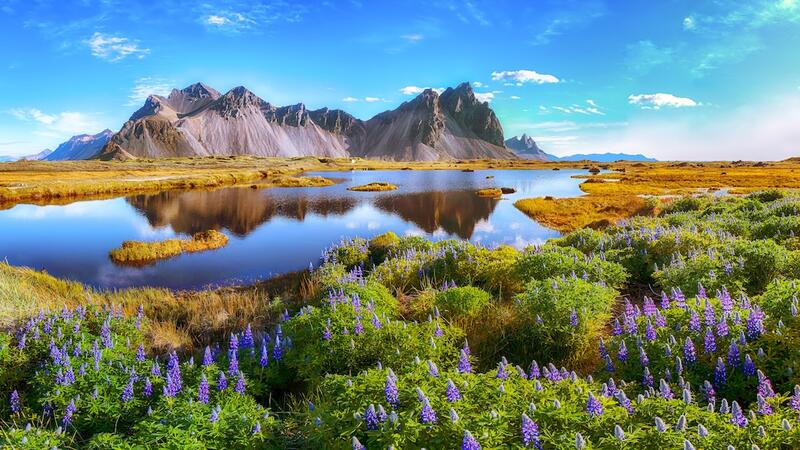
<point x="674" y="79"/>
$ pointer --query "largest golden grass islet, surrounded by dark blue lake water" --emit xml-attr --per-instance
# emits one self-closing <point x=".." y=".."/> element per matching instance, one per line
<point x="138" y="252"/>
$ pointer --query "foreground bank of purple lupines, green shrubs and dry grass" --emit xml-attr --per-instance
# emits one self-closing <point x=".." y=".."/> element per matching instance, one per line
<point x="673" y="330"/>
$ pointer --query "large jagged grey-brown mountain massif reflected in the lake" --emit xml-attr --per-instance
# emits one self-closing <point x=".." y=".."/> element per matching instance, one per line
<point x="199" y="121"/>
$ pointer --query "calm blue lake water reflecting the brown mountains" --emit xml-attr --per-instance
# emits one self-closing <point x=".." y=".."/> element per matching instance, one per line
<point x="272" y="230"/>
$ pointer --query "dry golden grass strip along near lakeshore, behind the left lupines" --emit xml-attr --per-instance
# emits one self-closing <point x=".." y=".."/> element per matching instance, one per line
<point x="178" y="319"/>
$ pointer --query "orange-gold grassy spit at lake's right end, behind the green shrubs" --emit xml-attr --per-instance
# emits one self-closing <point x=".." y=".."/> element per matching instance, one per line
<point x="594" y="211"/>
